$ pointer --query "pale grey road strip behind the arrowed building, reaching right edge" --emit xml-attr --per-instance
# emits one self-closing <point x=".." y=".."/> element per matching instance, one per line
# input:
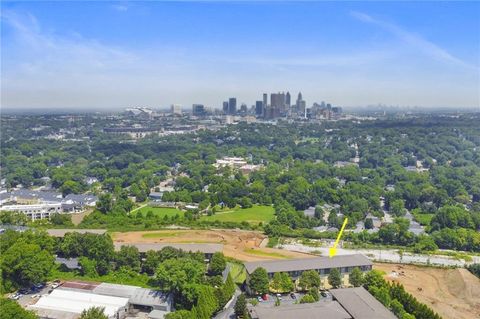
<point x="388" y="255"/>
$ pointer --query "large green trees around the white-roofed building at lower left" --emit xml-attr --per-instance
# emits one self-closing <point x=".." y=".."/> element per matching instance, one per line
<point x="28" y="258"/>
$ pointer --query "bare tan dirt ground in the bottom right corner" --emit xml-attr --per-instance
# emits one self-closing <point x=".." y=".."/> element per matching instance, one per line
<point x="452" y="293"/>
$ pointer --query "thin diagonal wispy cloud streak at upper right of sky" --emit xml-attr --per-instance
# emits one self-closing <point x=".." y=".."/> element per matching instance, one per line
<point x="414" y="40"/>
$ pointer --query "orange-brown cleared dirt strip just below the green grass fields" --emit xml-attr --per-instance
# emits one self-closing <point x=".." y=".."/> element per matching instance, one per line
<point x="239" y="244"/>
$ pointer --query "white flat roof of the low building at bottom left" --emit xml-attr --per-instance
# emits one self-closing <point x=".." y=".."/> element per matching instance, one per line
<point x="76" y="302"/>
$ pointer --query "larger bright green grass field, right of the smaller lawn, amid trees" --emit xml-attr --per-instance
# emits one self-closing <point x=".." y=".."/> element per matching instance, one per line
<point x="253" y="215"/>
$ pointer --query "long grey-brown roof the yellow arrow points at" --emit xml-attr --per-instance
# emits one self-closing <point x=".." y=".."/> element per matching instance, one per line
<point x="302" y="264"/>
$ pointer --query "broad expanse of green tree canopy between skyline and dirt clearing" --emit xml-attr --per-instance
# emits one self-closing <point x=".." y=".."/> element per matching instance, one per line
<point x="299" y="172"/>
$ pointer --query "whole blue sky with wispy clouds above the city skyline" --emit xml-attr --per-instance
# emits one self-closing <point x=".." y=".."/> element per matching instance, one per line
<point x="121" y="54"/>
